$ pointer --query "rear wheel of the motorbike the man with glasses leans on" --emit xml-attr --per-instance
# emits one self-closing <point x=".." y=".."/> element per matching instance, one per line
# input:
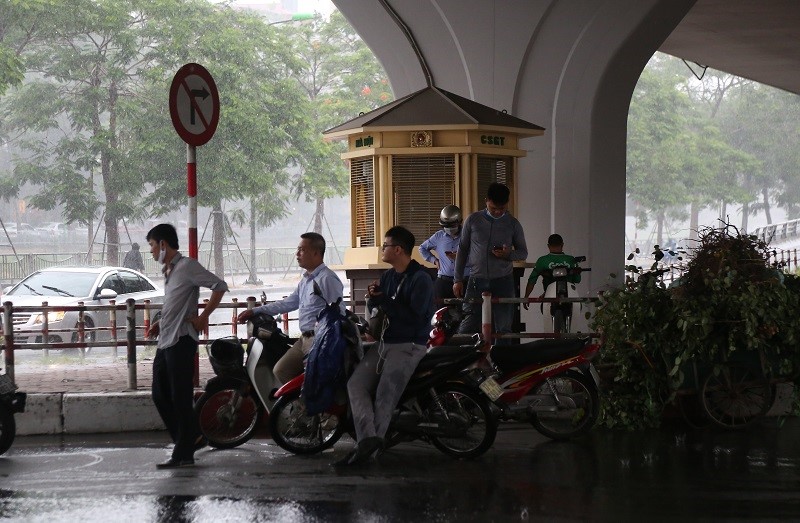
<point x="470" y="413"/>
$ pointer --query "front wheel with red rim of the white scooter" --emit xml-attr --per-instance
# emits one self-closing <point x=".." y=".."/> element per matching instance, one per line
<point x="227" y="418"/>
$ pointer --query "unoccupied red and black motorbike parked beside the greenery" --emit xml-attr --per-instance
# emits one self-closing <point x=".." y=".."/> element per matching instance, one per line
<point x="550" y="383"/>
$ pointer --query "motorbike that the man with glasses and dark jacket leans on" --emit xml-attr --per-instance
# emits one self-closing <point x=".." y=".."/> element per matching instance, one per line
<point x="439" y="406"/>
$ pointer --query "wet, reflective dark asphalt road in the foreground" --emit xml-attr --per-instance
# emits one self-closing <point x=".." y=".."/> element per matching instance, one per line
<point x="666" y="475"/>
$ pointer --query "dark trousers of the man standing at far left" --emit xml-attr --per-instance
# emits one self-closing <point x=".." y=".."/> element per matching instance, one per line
<point x="173" y="394"/>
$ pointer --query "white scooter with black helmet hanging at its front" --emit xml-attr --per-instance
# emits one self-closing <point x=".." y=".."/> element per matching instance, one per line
<point x="236" y="399"/>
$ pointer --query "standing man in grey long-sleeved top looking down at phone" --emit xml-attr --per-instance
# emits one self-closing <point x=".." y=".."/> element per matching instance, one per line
<point x="491" y="240"/>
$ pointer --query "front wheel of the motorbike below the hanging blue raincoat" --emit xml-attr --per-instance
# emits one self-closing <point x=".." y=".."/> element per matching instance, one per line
<point x="293" y="429"/>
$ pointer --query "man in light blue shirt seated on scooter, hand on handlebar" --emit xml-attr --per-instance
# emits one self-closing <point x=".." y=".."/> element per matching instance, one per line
<point x="318" y="287"/>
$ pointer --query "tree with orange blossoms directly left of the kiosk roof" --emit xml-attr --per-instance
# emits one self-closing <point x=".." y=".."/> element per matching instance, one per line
<point x="341" y="78"/>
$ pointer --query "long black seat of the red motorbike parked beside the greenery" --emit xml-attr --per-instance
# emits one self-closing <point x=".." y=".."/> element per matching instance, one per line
<point x="511" y="357"/>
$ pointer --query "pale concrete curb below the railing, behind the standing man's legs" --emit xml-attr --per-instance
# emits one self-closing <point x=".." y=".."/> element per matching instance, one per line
<point x="93" y="397"/>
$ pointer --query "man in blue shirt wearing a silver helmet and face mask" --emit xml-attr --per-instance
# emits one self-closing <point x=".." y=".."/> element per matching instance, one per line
<point x="441" y="248"/>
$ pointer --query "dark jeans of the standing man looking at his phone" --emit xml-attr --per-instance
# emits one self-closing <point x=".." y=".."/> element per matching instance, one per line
<point x="502" y="313"/>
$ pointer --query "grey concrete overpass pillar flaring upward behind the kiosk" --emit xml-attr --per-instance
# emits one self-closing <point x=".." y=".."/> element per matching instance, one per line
<point x="570" y="67"/>
